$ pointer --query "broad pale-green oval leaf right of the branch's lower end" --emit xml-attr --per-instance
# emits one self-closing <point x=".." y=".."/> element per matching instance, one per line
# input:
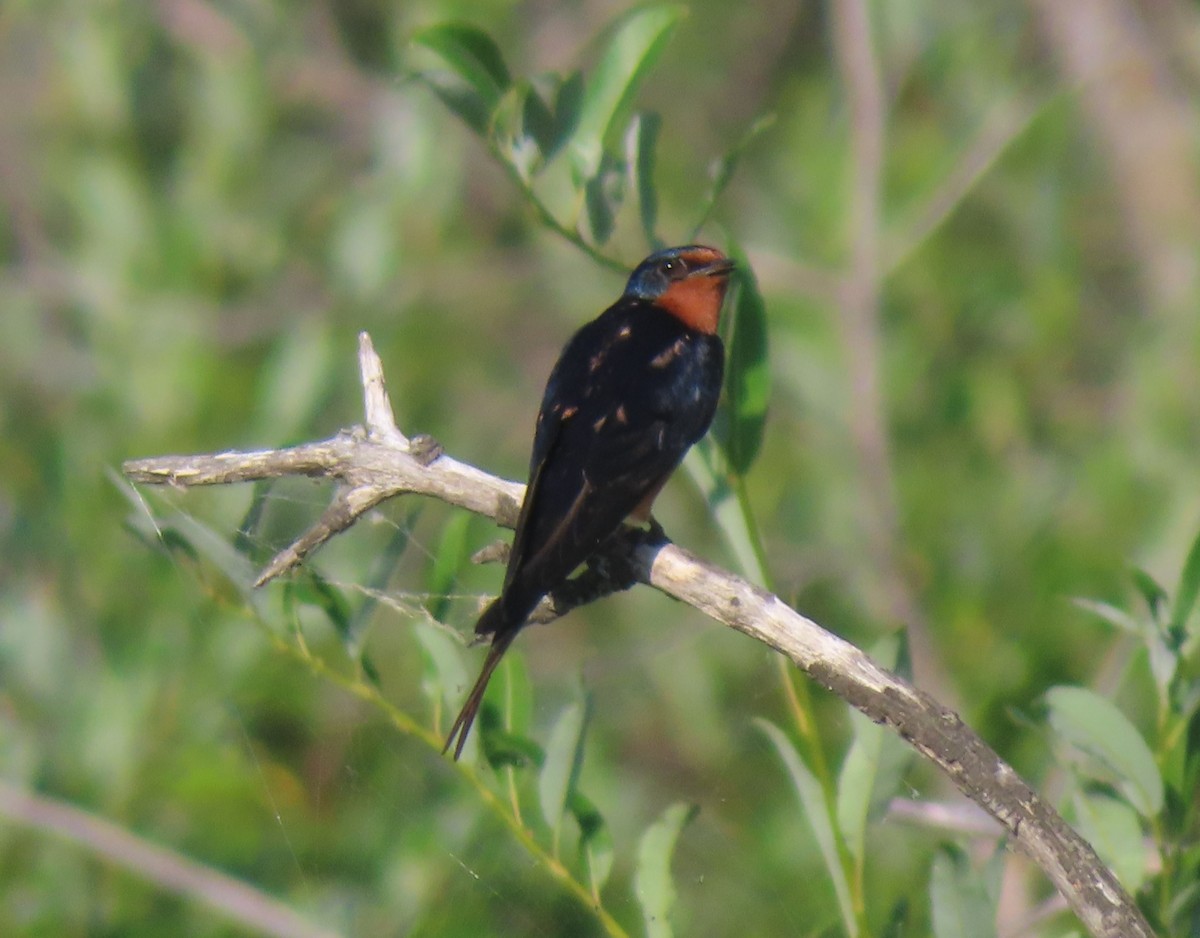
<point x="1097" y="727"/>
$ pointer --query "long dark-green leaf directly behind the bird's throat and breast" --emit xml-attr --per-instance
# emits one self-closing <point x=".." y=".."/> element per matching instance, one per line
<point x="748" y="378"/>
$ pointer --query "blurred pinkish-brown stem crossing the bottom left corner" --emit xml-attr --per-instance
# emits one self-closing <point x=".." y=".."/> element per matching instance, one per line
<point x="241" y="903"/>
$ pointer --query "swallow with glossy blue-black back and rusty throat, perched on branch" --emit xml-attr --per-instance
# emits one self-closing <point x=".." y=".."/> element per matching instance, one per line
<point x="632" y="393"/>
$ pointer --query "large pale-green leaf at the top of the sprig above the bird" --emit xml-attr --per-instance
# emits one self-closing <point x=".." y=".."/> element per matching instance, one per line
<point x="637" y="43"/>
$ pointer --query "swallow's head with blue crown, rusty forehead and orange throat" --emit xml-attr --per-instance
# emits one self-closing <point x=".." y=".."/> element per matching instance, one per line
<point x="689" y="282"/>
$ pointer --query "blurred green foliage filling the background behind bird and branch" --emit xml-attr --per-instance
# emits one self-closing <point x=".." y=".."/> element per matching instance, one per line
<point x="205" y="203"/>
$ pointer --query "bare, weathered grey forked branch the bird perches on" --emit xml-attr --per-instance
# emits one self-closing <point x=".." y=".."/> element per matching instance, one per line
<point x="369" y="467"/>
